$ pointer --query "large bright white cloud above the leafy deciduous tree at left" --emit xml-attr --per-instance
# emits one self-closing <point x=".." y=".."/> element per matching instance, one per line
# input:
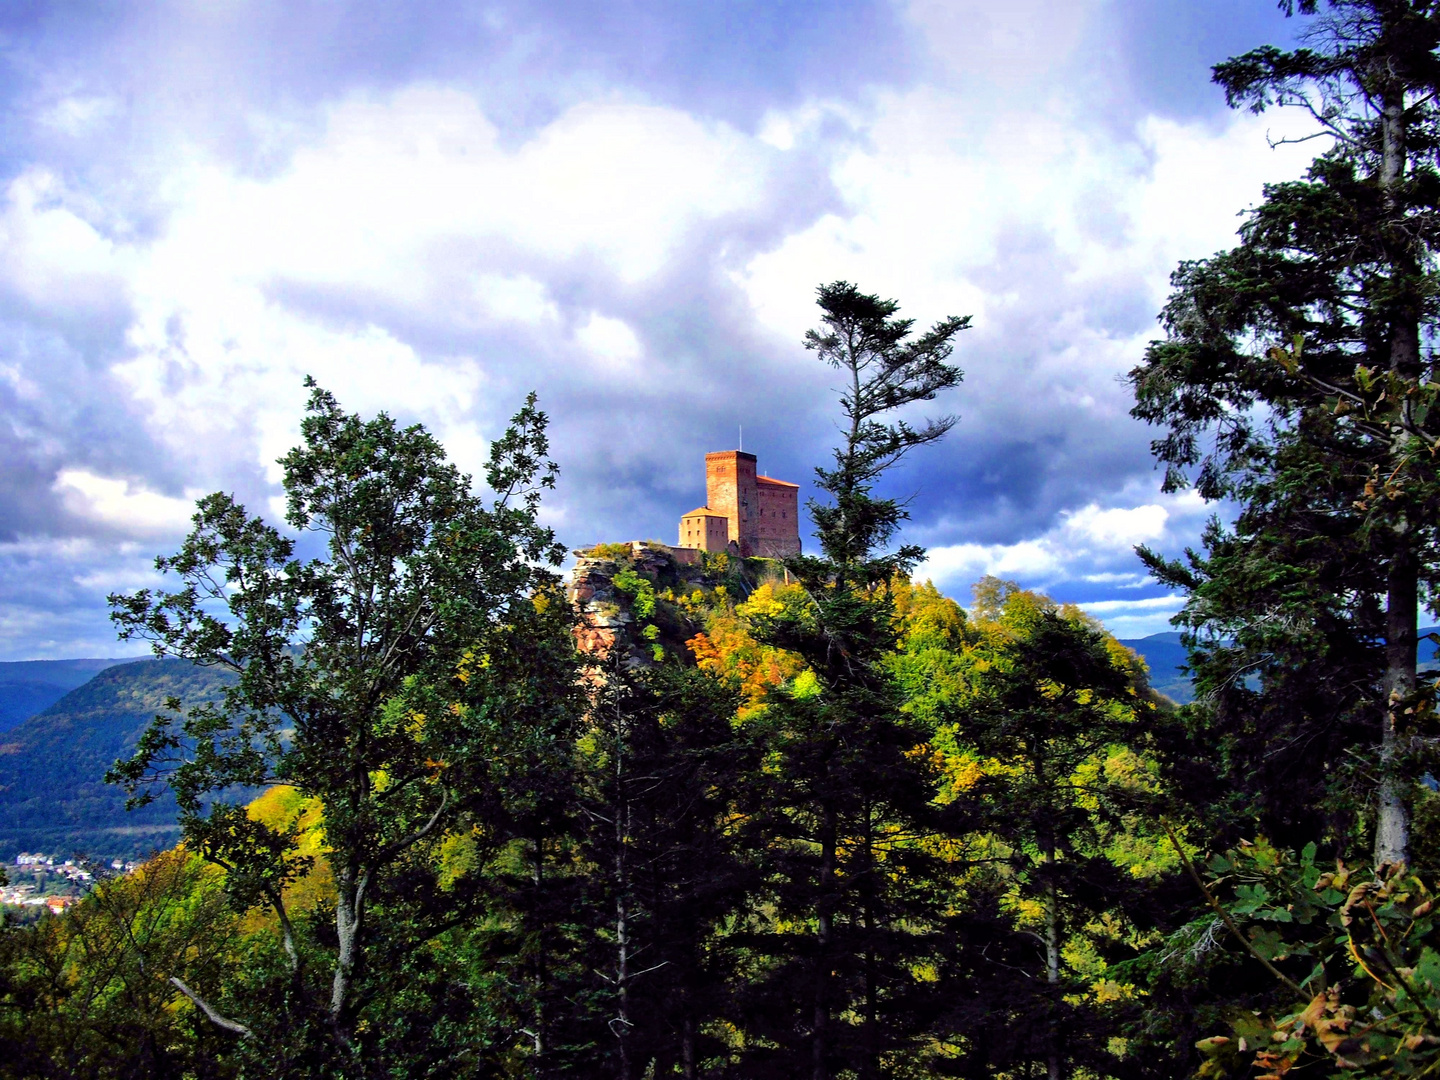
<point x="408" y="204"/>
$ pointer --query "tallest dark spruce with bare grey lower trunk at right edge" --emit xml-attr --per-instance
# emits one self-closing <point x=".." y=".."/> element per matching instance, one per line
<point x="1327" y="303"/>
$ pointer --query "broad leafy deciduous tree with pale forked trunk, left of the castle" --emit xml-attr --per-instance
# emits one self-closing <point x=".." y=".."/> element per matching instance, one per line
<point x="377" y="680"/>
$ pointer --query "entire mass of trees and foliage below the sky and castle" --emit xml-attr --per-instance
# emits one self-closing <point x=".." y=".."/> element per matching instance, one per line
<point x="816" y="819"/>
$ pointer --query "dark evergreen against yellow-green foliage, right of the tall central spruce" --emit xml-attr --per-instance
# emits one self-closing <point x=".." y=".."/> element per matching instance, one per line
<point x="1055" y="716"/>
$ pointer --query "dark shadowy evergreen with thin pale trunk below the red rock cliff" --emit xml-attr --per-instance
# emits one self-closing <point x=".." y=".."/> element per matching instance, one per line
<point x="672" y="863"/>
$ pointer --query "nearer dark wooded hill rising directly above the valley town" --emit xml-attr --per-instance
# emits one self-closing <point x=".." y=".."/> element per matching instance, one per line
<point x="53" y="794"/>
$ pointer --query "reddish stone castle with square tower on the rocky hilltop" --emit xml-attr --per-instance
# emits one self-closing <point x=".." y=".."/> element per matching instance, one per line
<point x="744" y="513"/>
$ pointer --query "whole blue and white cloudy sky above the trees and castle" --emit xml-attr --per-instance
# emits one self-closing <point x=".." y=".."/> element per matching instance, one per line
<point x="626" y="205"/>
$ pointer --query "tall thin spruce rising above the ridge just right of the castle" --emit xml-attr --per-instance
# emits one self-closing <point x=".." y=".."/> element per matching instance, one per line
<point x="843" y="797"/>
